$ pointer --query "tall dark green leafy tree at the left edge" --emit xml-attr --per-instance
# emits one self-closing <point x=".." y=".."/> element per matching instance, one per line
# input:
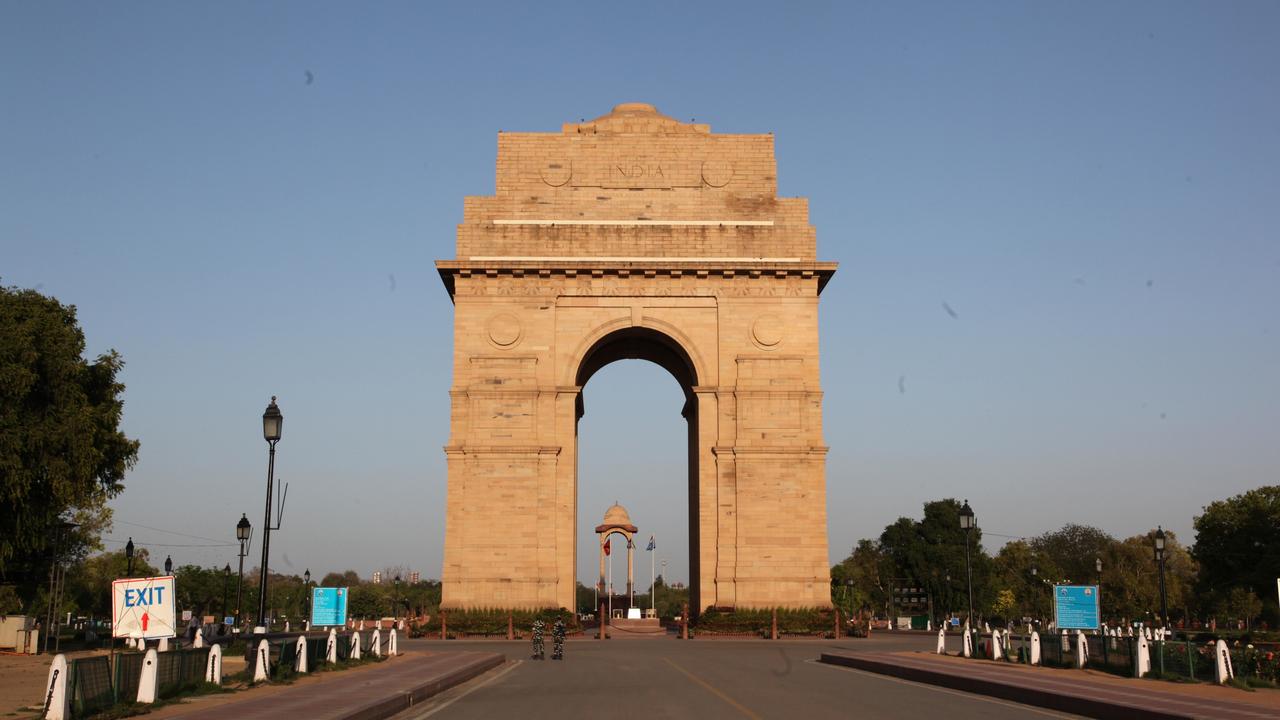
<point x="62" y="453"/>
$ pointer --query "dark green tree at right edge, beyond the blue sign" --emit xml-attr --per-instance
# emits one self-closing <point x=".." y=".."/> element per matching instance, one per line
<point x="1238" y="544"/>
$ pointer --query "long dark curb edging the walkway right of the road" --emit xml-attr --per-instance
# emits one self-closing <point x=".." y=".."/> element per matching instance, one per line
<point x="1050" y="700"/>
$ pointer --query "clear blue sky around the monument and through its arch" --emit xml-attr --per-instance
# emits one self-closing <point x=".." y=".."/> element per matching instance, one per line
<point x="1092" y="188"/>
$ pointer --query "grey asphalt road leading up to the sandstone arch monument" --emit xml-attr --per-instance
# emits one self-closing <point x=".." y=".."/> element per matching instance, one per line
<point x="653" y="680"/>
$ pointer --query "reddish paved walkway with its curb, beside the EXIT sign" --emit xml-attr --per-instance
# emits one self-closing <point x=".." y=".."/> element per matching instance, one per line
<point x="380" y="692"/>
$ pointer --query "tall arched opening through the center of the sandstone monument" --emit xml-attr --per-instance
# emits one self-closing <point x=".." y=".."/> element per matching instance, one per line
<point x="632" y="452"/>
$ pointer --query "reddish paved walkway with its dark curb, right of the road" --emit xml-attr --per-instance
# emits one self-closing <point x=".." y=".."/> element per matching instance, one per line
<point x="1094" y="695"/>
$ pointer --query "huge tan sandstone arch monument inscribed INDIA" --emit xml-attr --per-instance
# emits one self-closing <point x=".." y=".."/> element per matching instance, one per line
<point x="637" y="236"/>
